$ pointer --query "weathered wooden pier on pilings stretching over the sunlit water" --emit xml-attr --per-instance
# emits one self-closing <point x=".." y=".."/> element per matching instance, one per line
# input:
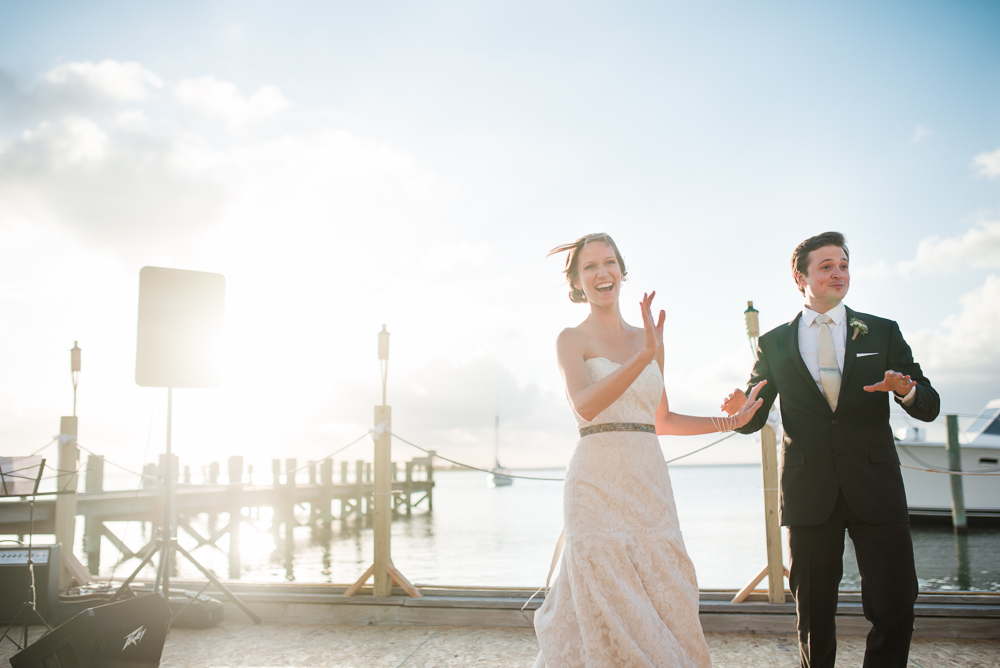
<point x="318" y="502"/>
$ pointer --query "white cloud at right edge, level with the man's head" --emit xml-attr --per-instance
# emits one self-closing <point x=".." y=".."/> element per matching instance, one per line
<point x="978" y="248"/>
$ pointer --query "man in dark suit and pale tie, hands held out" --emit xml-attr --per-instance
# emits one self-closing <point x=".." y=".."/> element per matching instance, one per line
<point x="832" y="368"/>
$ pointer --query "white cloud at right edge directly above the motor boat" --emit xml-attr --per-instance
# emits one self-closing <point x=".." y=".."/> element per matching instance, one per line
<point x="963" y="349"/>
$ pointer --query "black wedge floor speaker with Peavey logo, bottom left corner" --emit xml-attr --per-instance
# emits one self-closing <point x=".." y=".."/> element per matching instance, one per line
<point x="126" y="634"/>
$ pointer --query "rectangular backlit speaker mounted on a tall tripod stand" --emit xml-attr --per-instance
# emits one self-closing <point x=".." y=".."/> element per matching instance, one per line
<point x="180" y="327"/>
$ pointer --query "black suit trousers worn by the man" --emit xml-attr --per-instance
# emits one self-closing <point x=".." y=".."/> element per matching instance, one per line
<point x="888" y="586"/>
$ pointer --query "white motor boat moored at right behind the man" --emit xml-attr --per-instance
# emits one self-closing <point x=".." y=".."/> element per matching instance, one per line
<point x="929" y="494"/>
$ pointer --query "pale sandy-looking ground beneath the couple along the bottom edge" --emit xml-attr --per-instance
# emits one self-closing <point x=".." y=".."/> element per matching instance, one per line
<point x="238" y="644"/>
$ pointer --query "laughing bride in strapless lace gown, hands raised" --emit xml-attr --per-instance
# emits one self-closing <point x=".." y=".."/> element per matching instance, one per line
<point x="626" y="594"/>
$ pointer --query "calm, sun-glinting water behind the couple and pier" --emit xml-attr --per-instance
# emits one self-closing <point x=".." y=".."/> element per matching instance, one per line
<point x="504" y="537"/>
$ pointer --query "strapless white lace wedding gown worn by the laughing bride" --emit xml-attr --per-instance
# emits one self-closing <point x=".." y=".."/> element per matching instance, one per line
<point x="626" y="593"/>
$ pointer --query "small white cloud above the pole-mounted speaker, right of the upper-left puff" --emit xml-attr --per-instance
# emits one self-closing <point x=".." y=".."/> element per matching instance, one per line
<point x="222" y="100"/>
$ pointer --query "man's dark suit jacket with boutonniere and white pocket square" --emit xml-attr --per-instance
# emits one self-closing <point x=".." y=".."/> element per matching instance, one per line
<point x="851" y="448"/>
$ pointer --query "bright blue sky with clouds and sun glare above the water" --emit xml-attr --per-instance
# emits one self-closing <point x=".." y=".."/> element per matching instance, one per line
<point x="349" y="165"/>
